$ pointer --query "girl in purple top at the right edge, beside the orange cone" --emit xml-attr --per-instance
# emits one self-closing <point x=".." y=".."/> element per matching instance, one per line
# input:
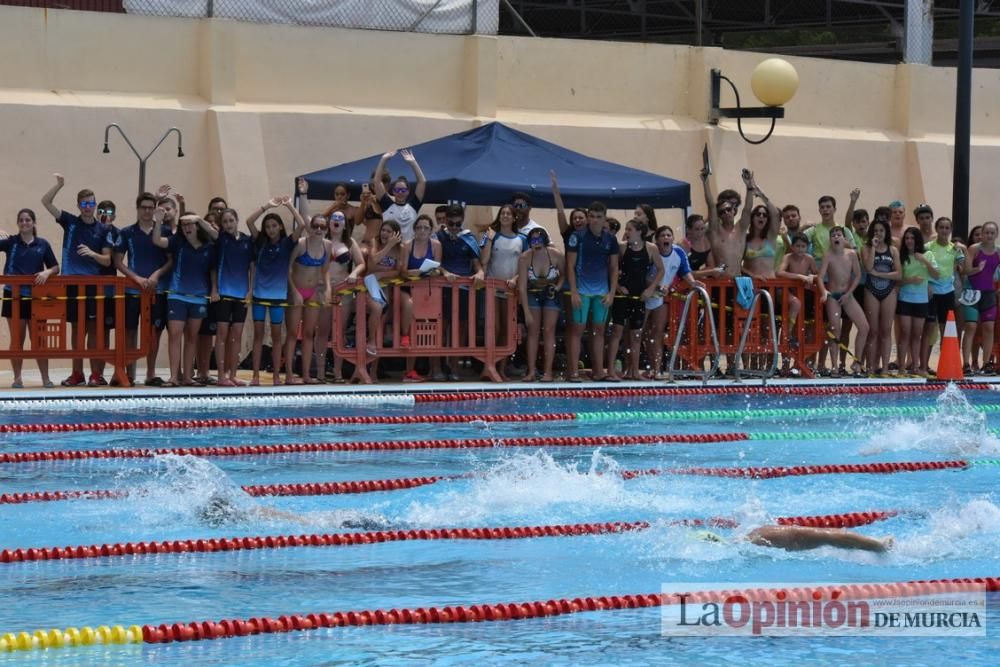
<point x="981" y="262"/>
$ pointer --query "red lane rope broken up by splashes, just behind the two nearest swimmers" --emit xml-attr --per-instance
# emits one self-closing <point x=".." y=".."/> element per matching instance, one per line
<point x="395" y="484"/>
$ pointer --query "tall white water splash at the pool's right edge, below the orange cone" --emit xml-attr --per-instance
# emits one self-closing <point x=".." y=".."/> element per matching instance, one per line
<point x="953" y="428"/>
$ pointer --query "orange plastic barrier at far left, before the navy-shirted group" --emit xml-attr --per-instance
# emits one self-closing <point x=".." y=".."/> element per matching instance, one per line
<point x="49" y="334"/>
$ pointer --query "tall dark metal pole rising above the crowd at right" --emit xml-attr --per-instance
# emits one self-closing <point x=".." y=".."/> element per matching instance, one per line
<point x="963" y="121"/>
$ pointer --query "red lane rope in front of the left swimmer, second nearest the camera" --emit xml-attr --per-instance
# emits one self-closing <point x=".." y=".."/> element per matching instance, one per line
<point x="212" y="545"/>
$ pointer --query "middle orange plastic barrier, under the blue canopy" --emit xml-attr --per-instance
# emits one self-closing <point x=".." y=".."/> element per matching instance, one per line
<point x="481" y="323"/>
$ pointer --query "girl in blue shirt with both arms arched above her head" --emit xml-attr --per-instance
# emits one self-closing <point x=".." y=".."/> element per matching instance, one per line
<point x="270" y="281"/>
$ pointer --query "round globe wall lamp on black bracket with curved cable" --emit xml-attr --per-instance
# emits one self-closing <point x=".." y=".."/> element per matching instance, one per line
<point x="773" y="82"/>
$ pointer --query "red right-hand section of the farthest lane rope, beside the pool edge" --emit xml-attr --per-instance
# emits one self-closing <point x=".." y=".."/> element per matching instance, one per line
<point x="687" y="391"/>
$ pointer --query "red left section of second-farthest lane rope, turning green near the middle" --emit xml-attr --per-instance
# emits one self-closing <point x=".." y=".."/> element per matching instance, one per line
<point x="175" y="424"/>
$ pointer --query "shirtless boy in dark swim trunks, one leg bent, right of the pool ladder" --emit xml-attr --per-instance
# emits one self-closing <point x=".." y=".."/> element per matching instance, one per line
<point x="839" y="276"/>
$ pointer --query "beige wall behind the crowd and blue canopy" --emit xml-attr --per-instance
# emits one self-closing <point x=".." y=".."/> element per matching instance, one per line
<point x="259" y="104"/>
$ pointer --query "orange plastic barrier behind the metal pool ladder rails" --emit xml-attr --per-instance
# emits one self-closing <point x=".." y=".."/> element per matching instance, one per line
<point x="808" y="333"/>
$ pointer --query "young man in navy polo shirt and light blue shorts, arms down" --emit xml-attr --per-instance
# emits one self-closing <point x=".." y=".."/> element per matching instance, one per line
<point x="592" y="275"/>
